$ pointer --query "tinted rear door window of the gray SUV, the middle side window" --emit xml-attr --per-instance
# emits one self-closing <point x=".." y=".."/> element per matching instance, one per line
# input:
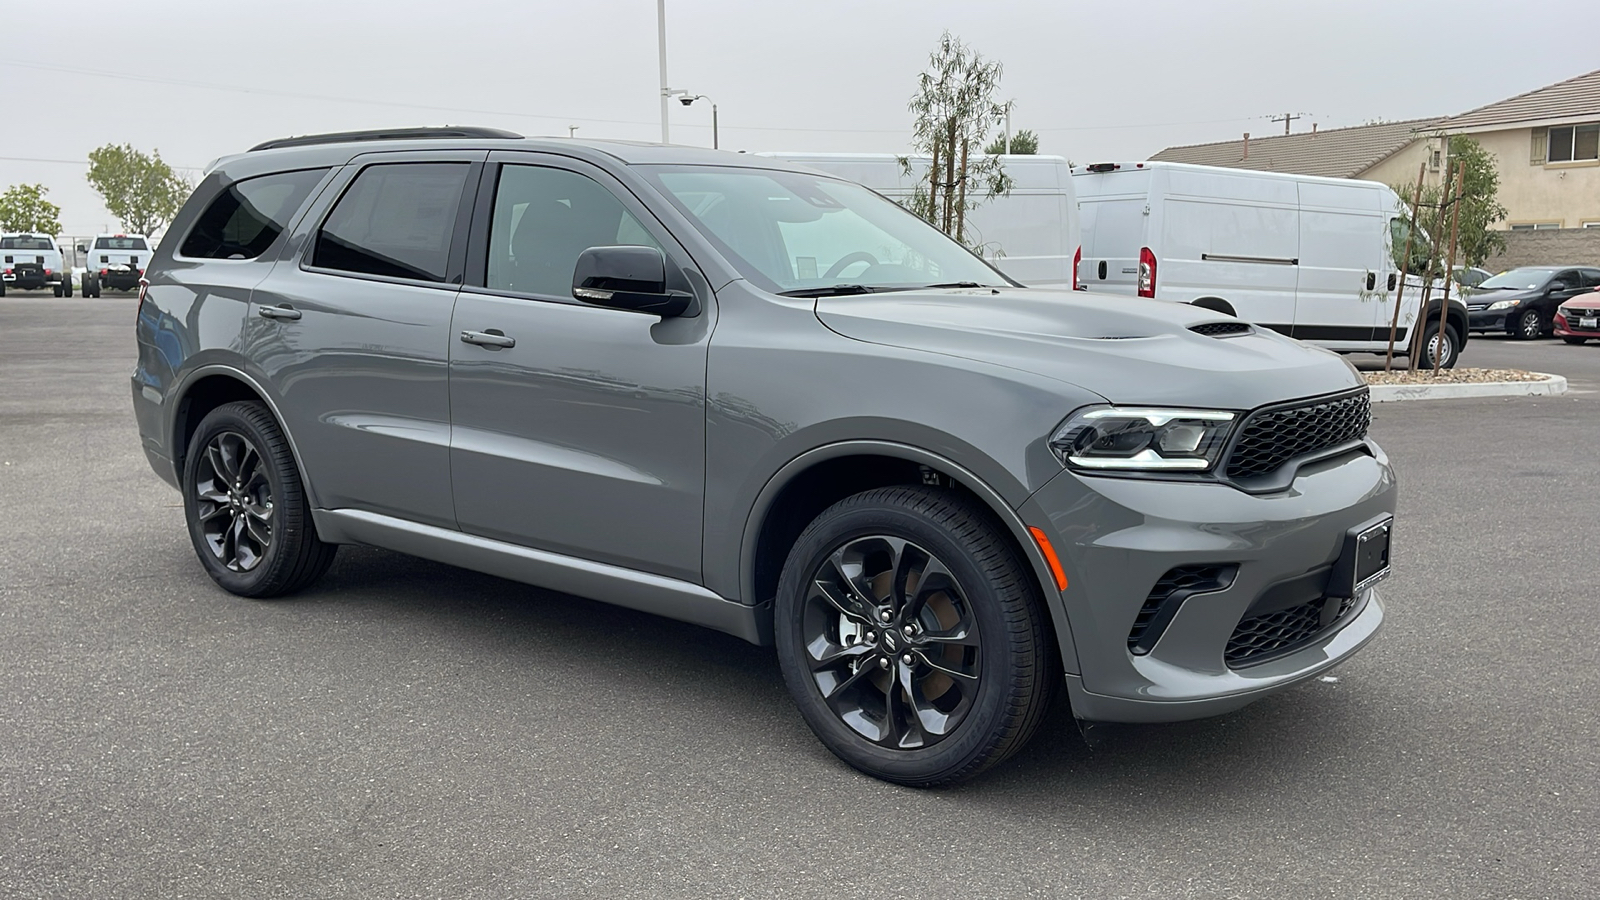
<point x="396" y="220"/>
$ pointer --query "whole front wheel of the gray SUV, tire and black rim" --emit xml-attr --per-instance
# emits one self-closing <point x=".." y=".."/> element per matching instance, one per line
<point x="911" y="637"/>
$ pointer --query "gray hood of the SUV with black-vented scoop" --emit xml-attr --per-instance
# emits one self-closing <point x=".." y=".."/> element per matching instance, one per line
<point x="1126" y="350"/>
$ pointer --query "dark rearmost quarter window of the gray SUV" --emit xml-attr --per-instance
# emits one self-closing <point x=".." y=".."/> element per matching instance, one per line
<point x="250" y="215"/>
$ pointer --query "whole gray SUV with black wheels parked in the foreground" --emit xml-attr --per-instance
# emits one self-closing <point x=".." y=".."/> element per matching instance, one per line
<point x="767" y="401"/>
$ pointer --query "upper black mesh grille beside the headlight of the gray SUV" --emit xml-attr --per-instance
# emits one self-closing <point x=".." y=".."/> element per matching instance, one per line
<point x="1273" y="438"/>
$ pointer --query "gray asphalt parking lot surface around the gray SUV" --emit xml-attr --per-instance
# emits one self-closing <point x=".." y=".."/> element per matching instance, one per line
<point x="407" y="729"/>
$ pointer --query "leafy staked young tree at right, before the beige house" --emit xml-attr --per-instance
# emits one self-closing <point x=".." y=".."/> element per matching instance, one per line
<point x="1481" y="209"/>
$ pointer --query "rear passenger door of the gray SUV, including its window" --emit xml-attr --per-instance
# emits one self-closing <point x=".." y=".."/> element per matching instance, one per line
<point x="354" y="339"/>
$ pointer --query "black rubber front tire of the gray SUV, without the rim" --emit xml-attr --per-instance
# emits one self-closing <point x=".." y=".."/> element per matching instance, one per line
<point x="977" y="733"/>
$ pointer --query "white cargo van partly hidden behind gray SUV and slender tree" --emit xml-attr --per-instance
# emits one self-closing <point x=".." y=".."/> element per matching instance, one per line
<point x="1030" y="235"/>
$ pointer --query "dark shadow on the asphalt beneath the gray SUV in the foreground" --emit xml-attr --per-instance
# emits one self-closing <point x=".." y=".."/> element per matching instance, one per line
<point x="719" y="683"/>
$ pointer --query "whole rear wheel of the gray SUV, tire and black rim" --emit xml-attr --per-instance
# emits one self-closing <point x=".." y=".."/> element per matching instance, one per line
<point x="247" y="508"/>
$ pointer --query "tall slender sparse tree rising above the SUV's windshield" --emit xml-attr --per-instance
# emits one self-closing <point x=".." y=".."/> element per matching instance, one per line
<point x="954" y="108"/>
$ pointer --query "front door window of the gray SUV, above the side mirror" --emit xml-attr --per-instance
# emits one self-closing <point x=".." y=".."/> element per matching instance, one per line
<point x="543" y="220"/>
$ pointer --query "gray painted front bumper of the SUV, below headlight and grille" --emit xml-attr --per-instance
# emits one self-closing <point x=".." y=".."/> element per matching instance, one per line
<point x="1119" y="537"/>
